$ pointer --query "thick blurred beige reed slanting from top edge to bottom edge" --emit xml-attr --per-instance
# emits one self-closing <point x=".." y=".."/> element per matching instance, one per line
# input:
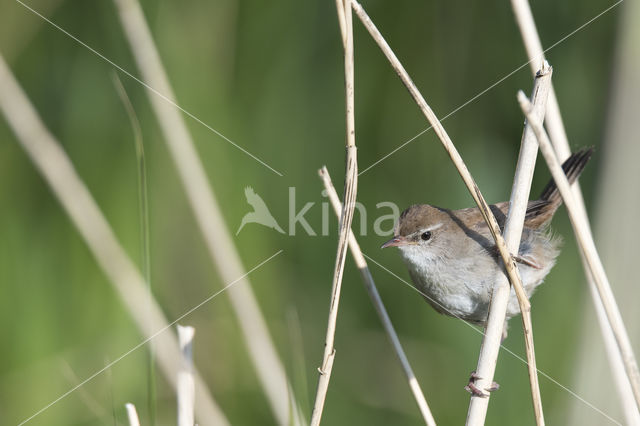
<point x="224" y="255"/>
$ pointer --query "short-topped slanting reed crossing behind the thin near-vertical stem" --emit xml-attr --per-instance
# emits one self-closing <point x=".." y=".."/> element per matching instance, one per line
<point x="371" y="288"/>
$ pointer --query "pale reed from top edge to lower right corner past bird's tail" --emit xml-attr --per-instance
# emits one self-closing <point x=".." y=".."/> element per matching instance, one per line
<point x="557" y="133"/>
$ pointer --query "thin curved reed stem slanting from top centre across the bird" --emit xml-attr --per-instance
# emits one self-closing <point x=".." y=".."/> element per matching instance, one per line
<point x="508" y="261"/>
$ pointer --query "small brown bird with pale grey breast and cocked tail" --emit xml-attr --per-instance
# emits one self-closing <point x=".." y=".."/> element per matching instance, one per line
<point x="452" y="258"/>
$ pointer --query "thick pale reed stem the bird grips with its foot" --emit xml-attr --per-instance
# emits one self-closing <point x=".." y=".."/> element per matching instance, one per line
<point x="514" y="225"/>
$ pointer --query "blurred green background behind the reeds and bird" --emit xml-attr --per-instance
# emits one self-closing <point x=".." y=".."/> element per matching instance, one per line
<point x="269" y="76"/>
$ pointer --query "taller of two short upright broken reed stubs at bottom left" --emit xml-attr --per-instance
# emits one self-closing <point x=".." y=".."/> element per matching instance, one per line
<point x="186" y="390"/>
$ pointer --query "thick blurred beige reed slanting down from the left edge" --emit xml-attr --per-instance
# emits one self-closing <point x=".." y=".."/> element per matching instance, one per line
<point x="55" y="166"/>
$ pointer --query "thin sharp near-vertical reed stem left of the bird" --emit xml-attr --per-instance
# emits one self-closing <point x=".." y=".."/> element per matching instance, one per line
<point x="350" y="190"/>
